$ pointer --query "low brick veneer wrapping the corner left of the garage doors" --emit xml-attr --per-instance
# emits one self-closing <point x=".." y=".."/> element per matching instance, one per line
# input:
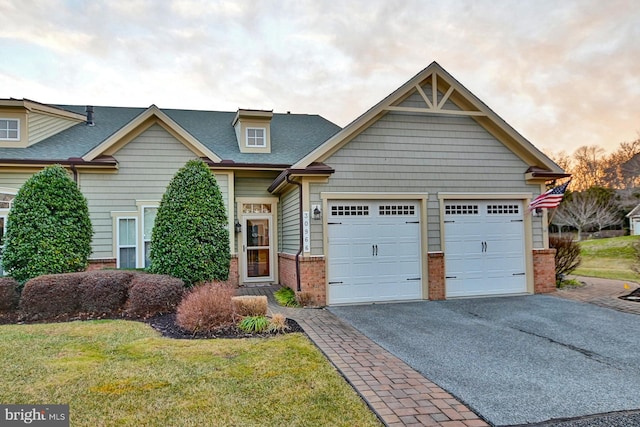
<point x="312" y="275"/>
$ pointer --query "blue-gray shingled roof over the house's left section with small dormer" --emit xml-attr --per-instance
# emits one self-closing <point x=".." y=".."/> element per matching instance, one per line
<point x="208" y="133"/>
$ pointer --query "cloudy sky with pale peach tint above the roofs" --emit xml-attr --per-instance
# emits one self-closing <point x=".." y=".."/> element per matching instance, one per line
<point x="563" y="73"/>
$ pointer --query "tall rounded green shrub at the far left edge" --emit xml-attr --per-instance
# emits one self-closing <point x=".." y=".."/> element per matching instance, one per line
<point x="49" y="230"/>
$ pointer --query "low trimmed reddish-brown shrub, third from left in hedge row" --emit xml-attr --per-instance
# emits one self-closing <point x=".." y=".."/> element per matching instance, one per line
<point x="104" y="291"/>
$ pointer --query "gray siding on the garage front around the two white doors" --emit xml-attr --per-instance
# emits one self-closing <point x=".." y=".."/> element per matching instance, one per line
<point x="421" y="153"/>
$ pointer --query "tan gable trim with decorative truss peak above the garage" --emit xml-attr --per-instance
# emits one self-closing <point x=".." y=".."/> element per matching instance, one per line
<point x="444" y="88"/>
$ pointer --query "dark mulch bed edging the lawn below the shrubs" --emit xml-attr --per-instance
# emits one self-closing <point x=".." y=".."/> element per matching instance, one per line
<point x="164" y="323"/>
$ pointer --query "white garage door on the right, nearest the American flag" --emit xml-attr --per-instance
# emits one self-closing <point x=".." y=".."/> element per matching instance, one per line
<point x="484" y="248"/>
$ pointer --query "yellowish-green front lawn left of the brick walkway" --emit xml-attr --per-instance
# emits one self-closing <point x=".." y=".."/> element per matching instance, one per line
<point x="115" y="372"/>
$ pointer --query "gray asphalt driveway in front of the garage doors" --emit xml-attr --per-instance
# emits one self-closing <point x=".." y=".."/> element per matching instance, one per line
<point x="514" y="360"/>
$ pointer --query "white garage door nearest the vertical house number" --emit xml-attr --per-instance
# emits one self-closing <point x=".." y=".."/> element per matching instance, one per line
<point x="374" y="251"/>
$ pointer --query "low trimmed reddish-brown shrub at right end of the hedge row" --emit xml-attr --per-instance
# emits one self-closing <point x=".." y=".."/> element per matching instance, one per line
<point x="152" y="294"/>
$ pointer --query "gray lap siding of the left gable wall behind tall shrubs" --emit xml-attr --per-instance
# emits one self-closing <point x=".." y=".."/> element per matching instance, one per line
<point x="146" y="166"/>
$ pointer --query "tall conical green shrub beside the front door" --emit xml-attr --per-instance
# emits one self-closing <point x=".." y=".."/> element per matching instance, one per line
<point x="190" y="237"/>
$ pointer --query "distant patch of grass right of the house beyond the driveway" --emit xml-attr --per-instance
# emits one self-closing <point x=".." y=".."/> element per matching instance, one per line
<point x="610" y="258"/>
